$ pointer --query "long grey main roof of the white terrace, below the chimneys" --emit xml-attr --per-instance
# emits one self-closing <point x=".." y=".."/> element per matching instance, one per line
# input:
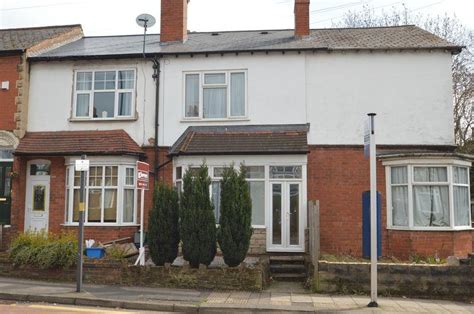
<point x="399" y="37"/>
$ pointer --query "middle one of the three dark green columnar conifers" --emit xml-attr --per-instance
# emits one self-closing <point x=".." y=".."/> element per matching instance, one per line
<point x="197" y="221"/>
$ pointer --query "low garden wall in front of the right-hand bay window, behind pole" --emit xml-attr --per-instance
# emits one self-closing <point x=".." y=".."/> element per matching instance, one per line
<point x="440" y="281"/>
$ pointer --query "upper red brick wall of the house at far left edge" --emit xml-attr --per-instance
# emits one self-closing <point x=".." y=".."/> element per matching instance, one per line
<point x="8" y="72"/>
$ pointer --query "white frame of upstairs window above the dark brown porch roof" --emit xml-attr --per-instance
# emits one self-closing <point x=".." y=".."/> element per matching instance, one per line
<point x="227" y="85"/>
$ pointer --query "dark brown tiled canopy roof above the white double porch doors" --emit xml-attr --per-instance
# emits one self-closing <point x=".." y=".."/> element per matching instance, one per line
<point x="242" y="139"/>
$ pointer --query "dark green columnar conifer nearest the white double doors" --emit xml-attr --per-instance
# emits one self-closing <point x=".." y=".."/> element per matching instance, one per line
<point x="235" y="227"/>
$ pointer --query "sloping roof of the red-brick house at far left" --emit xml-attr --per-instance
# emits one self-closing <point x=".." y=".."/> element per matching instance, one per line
<point x="24" y="38"/>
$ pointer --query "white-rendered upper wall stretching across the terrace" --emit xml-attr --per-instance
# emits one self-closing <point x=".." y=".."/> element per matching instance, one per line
<point x="409" y="91"/>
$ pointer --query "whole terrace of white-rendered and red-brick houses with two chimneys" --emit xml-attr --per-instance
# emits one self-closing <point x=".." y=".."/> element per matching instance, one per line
<point x="289" y="104"/>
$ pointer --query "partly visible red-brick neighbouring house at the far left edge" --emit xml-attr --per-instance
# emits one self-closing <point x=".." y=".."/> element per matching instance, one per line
<point x="16" y="45"/>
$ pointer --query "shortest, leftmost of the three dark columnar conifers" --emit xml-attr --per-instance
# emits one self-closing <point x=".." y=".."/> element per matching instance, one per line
<point x="163" y="232"/>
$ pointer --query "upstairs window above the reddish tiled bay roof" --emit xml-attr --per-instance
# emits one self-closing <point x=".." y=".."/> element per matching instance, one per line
<point x="104" y="94"/>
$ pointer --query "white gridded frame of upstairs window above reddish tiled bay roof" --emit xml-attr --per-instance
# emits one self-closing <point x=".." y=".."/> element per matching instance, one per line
<point x="91" y="93"/>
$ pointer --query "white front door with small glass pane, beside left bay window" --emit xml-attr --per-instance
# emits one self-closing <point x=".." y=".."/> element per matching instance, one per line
<point x="37" y="203"/>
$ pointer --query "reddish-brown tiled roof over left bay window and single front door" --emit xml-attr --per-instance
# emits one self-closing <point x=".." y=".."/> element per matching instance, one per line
<point x="67" y="143"/>
